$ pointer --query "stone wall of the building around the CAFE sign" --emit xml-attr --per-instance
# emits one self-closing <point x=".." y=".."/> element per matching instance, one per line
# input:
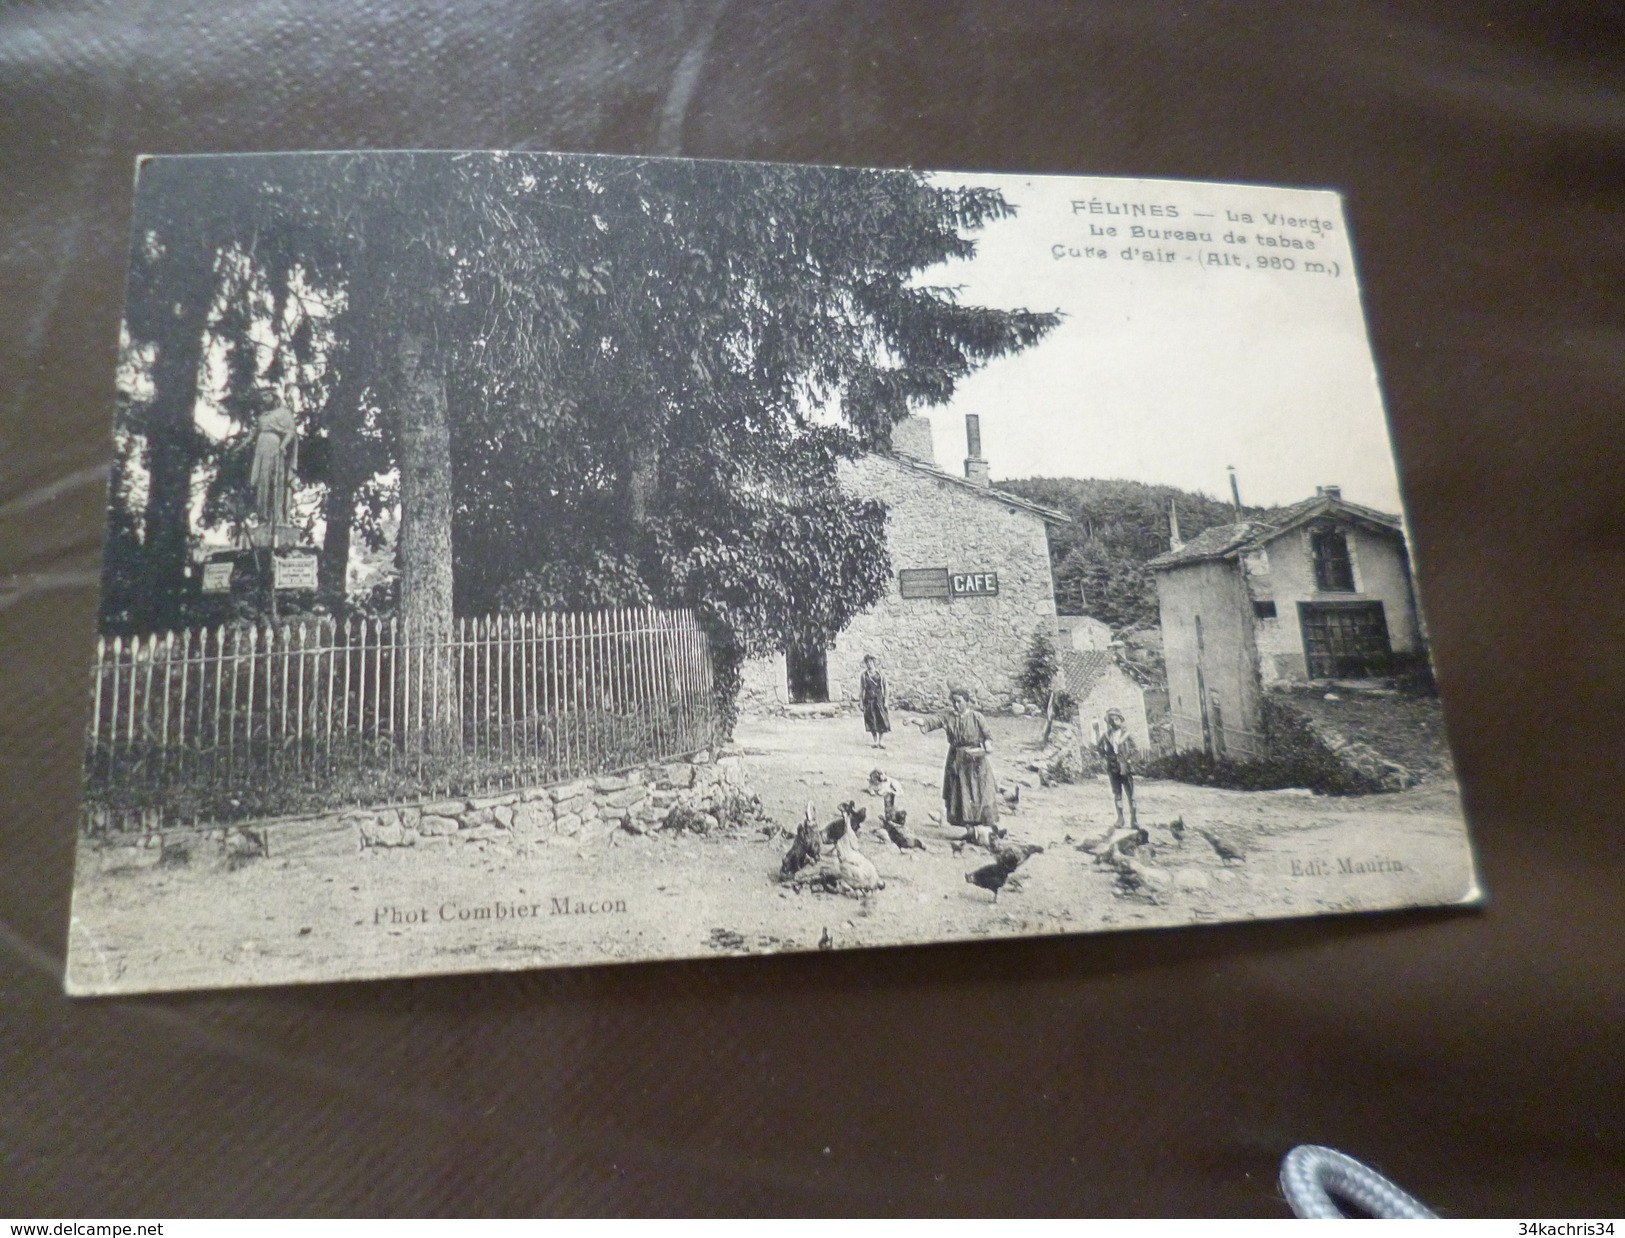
<point x="927" y="644"/>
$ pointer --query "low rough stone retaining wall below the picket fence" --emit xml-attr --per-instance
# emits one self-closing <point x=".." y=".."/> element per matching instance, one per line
<point x="581" y="810"/>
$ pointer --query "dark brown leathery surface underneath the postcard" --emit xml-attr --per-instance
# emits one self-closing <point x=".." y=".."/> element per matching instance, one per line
<point x="1476" y="1057"/>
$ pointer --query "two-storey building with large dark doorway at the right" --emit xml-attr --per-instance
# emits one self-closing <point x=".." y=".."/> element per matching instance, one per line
<point x="1322" y="592"/>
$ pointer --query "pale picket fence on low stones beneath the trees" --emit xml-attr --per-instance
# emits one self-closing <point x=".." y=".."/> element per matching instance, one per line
<point x="232" y="724"/>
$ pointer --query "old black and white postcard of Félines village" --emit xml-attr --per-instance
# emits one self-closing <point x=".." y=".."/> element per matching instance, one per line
<point x="527" y="560"/>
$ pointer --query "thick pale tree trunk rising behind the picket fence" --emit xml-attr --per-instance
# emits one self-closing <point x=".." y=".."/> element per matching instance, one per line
<point x="427" y="535"/>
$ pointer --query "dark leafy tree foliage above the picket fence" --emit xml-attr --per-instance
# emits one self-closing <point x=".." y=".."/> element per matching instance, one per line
<point x="633" y="381"/>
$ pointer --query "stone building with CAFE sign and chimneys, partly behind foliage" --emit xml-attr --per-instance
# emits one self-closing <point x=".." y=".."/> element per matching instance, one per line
<point x="971" y="587"/>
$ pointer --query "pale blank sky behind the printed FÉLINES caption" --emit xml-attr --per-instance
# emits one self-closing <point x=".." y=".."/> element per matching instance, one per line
<point x="1171" y="371"/>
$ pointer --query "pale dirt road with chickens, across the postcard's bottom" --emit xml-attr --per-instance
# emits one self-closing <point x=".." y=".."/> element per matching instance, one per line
<point x="319" y="909"/>
